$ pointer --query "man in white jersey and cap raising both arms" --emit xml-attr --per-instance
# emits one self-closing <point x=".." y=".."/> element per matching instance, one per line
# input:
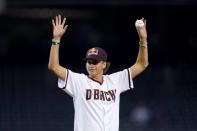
<point x="96" y="96"/>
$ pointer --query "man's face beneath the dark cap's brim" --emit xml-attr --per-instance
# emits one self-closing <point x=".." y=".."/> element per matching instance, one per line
<point x="95" y="67"/>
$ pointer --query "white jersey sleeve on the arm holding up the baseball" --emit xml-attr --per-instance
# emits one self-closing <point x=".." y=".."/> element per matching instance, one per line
<point x="123" y="79"/>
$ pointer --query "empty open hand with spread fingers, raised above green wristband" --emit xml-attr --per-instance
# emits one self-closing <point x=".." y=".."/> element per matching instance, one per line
<point x="59" y="27"/>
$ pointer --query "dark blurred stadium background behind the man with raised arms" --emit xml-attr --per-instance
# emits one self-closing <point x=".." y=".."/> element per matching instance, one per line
<point x="164" y="98"/>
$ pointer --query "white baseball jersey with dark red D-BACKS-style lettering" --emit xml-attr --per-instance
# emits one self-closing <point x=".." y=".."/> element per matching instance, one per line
<point x="96" y="104"/>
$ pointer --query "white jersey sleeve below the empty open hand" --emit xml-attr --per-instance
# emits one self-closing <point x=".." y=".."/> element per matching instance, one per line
<point x="71" y="83"/>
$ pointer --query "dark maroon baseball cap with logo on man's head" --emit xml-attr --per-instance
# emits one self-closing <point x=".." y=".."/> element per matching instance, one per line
<point x="96" y="53"/>
